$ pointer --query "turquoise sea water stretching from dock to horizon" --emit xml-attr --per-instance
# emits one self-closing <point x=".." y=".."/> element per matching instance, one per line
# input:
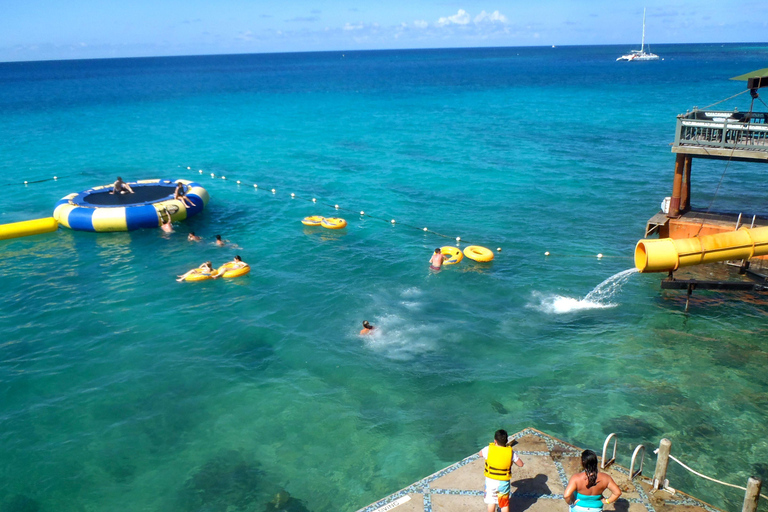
<point x="121" y="389"/>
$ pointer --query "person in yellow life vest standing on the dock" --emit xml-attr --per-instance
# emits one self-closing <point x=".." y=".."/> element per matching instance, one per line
<point x="498" y="471"/>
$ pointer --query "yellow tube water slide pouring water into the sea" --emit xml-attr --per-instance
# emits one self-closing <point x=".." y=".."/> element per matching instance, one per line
<point x="666" y="254"/>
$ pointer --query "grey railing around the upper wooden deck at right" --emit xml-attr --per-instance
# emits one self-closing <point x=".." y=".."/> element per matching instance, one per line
<point x="723" y="130"/>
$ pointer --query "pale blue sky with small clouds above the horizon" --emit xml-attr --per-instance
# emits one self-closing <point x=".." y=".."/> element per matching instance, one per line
<point x="82" y="29"/>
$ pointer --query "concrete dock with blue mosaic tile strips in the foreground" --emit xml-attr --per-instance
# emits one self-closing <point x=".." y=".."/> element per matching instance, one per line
<point x="536" y="487"/>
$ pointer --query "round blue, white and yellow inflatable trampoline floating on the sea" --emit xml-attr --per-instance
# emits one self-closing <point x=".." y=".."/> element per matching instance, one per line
<point x="98" y="209"/>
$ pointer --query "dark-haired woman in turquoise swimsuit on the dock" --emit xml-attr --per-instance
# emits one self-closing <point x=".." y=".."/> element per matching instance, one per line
<point x="589" y="485"/>
